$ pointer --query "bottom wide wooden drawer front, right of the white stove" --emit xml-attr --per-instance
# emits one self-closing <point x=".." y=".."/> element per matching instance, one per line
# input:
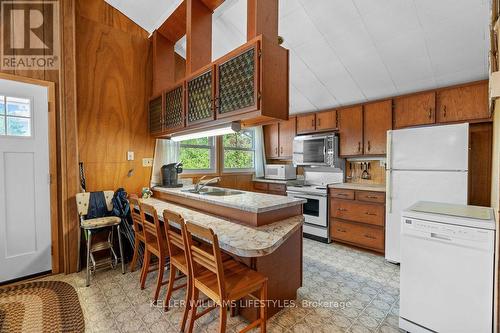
<point x="363" y="235"/>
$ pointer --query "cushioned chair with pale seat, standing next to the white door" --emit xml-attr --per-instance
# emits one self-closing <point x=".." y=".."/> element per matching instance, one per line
<point x="97" y="224"/>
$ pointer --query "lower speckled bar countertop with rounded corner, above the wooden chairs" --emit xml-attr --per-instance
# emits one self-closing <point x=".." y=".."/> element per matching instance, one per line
<point x="235" y="238"/>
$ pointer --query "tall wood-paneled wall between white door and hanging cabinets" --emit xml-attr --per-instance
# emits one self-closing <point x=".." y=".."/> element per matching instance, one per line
<point x="113" y="87"/>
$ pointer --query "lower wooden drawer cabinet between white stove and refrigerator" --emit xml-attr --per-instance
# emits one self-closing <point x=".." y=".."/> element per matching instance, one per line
<point x="358" y="218"/>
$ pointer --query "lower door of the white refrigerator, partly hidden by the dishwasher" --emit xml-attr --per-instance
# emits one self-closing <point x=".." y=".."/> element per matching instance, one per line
<point x="406" y="188"/>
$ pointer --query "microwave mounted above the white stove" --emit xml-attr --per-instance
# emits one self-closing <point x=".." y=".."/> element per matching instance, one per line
<point x="316" y="150"/>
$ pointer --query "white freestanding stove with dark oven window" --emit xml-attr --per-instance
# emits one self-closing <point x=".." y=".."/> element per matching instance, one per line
<point x="315" y="191"/>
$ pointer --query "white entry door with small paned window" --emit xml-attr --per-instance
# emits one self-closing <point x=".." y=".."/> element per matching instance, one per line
<point x="25" y="241"/>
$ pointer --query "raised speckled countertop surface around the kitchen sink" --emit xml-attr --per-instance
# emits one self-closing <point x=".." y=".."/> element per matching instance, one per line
<point x="246" y="201"/>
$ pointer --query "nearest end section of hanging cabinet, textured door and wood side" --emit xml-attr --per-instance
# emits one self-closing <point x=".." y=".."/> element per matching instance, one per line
<point x="251" y="83"/>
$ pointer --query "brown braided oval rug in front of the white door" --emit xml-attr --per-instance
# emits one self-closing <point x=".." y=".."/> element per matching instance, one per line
<point x="42" y="306"/>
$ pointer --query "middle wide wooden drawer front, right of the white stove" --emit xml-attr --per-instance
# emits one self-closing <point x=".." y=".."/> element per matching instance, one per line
<point x="358" y="211"/>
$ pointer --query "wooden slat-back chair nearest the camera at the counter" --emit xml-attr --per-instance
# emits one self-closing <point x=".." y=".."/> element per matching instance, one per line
<point x="222" y="282"/>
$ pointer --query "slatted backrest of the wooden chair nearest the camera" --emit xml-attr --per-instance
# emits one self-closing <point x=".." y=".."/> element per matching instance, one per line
<point x="199" y="258"/>
